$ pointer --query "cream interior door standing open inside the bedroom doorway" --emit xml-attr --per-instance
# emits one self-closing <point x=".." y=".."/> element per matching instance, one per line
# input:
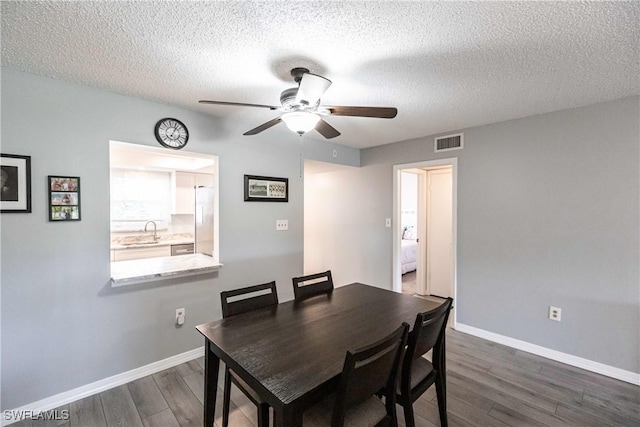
<point x="439" y="232"/>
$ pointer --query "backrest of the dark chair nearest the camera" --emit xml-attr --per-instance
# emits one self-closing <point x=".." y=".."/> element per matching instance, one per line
<point x="368" y="371"/>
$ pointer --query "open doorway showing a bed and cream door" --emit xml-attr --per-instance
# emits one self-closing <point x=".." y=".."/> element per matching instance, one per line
<point x="425" y="231"/>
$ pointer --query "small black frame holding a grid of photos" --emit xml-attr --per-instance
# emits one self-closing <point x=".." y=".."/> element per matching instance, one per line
<point x="64" y="198"/>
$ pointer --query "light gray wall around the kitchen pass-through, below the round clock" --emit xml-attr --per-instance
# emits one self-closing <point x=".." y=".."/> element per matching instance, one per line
<point x="62" y="325"/>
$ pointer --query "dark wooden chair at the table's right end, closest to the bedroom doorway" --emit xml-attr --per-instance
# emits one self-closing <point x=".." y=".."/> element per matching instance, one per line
<point x="417" y="374"/>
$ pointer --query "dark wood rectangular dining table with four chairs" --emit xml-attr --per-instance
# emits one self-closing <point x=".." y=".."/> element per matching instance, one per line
<point x="292" y="354"/>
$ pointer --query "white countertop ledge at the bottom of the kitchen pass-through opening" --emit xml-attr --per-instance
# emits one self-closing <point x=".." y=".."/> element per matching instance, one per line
<point x="144" y="270"/>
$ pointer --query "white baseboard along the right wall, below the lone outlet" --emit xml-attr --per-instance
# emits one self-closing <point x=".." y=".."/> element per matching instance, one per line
<point x="578" y="362"/>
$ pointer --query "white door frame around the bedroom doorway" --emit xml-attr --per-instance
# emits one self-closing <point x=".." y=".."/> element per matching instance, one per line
<point x="397" y="229"/>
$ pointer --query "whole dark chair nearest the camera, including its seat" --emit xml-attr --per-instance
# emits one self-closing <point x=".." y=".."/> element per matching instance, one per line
<point x="367" y="373"/>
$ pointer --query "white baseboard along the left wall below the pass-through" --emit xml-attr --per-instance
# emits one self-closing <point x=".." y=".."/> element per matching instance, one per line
<point x="66" y="397"/>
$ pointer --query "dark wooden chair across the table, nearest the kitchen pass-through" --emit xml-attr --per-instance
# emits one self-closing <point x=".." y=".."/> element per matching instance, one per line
<point x="264" y="295"/>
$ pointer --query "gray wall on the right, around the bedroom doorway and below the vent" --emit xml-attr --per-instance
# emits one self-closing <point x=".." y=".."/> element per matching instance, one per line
<point x="548" y="214"/>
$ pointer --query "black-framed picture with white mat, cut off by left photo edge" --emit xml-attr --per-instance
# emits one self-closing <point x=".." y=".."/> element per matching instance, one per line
<point x="15" y="183"/>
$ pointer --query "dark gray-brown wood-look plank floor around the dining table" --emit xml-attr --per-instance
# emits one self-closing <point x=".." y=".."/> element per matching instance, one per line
<point x="488" y="385"/>
